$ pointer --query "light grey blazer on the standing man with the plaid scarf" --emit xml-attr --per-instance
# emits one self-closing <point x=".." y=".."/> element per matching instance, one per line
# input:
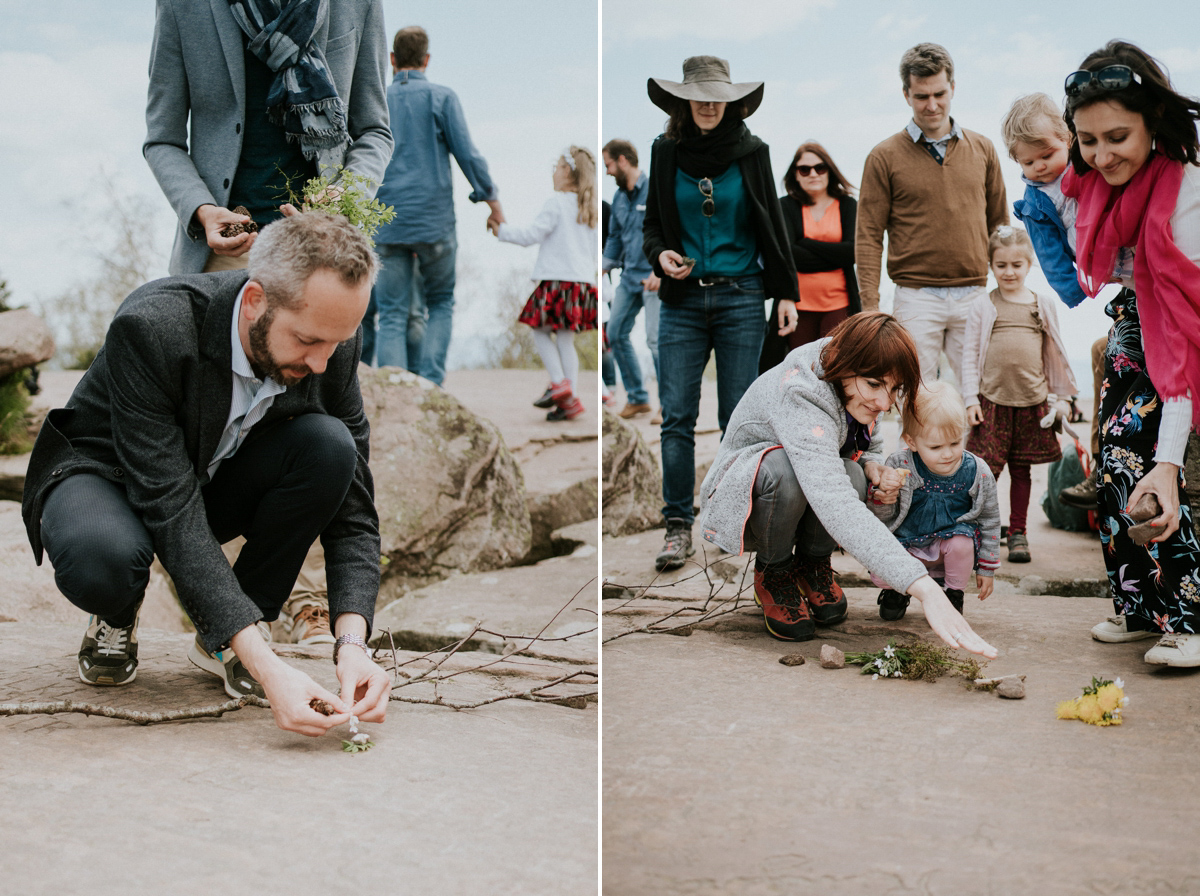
<point x="199" y="73"/>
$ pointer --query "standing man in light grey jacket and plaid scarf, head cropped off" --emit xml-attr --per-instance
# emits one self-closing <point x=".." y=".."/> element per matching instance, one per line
<point x="245" y="97"/>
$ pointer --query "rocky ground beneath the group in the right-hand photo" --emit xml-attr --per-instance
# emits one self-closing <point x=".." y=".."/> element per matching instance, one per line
<point x="728" y="772"/>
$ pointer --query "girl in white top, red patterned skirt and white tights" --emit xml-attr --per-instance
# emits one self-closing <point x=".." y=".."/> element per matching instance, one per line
<point x="565" y="302"/>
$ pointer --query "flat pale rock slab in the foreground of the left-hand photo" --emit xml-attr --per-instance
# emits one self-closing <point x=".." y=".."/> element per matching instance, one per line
<point x="500" y="799"/>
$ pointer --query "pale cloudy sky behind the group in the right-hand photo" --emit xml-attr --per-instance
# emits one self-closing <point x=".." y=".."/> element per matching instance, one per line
<point x="831" y="71"/>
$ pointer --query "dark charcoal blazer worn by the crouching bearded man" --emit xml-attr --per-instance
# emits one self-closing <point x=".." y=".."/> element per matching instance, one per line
<point x="148" y="416"/>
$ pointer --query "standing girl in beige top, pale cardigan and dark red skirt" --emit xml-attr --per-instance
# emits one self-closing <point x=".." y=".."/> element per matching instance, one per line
<point x="1013" y="365"/>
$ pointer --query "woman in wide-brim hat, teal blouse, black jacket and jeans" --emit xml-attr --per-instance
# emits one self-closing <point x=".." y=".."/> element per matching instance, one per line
<point x="715" y="233"/>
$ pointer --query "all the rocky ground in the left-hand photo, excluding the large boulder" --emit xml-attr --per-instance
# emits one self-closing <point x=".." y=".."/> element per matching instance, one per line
<point x="496" y="799"/>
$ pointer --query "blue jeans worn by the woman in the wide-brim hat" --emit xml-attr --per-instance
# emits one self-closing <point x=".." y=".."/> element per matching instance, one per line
<point x="727" y="320"/>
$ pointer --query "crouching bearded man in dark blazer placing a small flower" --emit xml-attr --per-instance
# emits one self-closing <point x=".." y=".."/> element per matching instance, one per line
<point x="224" y="406"/>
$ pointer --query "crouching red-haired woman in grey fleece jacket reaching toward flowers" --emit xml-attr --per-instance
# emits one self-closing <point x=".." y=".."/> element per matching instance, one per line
<point x="794" y="471"/>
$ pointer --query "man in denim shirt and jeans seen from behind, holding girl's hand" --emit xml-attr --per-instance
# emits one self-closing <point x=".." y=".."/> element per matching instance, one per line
<point x="428" y="125"/>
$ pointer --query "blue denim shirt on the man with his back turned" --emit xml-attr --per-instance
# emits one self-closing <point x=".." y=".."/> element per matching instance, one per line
<point x="429" y="127"/>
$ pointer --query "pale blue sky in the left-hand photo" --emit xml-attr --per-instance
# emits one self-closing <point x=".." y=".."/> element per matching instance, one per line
<point x="74" y="106"/>
